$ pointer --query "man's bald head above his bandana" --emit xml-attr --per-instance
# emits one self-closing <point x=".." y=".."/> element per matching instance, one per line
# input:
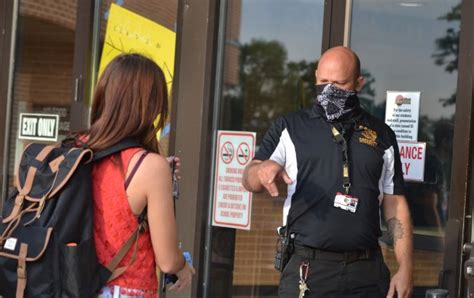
<point x="341" y="67"/>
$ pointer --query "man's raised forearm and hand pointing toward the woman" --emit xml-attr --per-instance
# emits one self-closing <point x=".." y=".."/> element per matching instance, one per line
<point x="260" y="175"/>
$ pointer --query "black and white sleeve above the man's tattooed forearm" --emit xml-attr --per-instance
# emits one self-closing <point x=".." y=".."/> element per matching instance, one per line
<point x="393" y="183"/>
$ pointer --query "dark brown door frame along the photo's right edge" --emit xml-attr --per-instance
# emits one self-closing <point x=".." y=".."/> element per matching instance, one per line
<point x="459" y="216"/>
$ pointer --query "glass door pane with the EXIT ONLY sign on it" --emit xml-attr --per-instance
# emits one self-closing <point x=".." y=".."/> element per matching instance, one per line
<point x="42" y="76"/>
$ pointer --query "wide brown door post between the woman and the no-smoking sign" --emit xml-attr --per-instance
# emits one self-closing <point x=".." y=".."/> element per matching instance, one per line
<point x="192" y="119"/>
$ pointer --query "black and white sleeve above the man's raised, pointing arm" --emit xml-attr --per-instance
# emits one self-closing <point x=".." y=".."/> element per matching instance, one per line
<point x="272" y="147"/>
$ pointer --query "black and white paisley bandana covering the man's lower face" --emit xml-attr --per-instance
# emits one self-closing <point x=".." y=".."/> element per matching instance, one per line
<point x="335" y="101"/>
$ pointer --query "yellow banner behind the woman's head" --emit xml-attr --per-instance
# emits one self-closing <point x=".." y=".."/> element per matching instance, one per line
<point x="128" y="32"/>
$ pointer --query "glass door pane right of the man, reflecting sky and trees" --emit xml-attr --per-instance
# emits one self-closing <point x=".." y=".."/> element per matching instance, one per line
<point x="412" y="46"/>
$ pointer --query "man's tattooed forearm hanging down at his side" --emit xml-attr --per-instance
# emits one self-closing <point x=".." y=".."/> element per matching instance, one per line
<point x="397" y="216"/>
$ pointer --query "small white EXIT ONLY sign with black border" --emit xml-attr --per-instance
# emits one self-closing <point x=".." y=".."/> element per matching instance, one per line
<point x="42" y="127"/>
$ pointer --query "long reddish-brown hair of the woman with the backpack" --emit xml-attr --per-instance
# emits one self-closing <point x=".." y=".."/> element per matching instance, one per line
<point x="129" y="96"/>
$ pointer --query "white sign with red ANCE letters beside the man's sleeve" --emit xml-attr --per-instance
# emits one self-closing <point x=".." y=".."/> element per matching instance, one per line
<point x="413" y="156"/>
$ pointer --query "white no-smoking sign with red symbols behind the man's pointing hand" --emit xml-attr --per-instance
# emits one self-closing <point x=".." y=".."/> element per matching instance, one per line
<point x="232" y="206"/>
